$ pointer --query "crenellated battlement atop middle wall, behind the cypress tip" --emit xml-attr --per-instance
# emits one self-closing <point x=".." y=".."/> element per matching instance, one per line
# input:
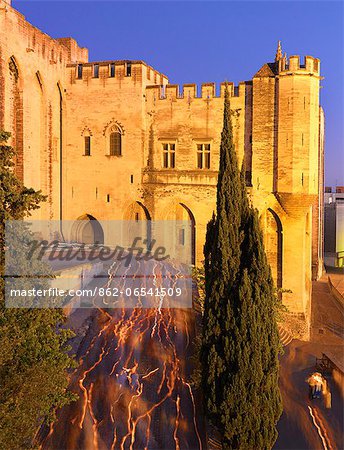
<point x="190" y="91"/>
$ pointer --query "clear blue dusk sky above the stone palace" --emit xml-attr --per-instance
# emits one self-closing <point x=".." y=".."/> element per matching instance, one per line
<point x="199" y="41"/>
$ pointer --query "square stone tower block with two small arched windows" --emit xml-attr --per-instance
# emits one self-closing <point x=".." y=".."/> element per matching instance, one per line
<point x="104" y="186"/>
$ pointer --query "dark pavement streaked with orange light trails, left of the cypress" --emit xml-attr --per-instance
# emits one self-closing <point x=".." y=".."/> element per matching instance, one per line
<point x="133" y="379"/>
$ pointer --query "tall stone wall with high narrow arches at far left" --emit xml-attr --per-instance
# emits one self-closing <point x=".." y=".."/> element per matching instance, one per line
<point x="32" y="80"/>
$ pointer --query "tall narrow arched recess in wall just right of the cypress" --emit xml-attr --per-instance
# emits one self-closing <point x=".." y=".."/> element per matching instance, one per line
<point x="274" y="246"/>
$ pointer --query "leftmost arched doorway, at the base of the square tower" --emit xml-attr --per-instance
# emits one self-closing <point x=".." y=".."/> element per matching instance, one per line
<point x="87" y="230"/>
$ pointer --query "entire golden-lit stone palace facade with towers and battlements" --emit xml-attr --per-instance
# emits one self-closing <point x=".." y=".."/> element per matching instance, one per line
<point x="52" y="98"/>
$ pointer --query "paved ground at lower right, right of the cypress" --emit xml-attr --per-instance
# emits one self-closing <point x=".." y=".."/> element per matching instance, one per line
<point x="309" y="424"/>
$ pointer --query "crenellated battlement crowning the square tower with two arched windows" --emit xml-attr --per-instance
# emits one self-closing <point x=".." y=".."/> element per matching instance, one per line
<point x="116" y="69"/>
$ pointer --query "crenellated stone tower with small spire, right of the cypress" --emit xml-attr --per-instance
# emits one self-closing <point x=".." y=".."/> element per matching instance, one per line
<point x="287" y="136"/>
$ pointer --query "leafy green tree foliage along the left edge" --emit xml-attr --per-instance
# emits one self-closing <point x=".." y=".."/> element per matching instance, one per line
<point x="34" y="354"/>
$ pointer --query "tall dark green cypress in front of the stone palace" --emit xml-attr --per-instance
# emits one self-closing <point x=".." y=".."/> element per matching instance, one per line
<point x="240" y="343"/>
